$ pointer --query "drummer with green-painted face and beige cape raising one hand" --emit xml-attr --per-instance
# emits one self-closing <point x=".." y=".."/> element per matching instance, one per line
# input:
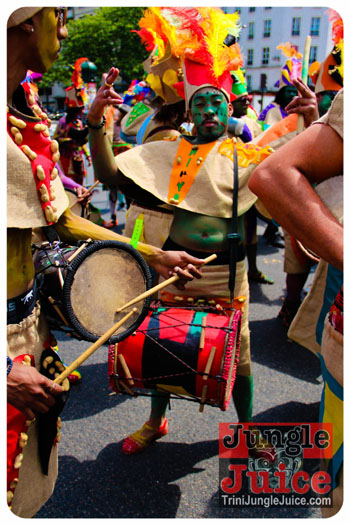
<point x="194" y="174"/>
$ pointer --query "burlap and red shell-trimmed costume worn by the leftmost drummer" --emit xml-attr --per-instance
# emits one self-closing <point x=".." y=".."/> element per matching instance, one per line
<point x="35" y="199"/>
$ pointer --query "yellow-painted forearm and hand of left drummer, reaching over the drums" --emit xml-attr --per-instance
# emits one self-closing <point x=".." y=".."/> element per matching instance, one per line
<point x="70" y="228"/>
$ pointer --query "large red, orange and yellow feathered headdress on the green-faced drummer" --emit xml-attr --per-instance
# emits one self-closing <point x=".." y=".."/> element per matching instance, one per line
<point x="199" y="43"/>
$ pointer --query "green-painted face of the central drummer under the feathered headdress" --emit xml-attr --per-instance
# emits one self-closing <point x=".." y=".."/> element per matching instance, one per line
<point x="209" y="113"/>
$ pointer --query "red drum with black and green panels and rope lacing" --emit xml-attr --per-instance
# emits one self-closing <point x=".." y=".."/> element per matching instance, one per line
<point x="192" y="354"/>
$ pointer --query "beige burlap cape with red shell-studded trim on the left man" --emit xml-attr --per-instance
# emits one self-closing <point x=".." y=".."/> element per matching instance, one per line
<point x="35" y="194"/>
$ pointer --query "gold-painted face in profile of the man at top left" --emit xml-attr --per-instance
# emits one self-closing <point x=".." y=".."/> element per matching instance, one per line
<point x="50" y="32"/>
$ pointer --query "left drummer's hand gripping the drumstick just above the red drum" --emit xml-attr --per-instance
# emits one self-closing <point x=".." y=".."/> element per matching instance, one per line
<point x="169" y="263"/>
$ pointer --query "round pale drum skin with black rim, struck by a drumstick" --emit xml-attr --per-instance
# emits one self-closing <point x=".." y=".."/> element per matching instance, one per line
<point x="103" y="277"/>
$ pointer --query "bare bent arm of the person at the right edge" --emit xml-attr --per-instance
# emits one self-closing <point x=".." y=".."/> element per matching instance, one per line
<point x="283" y="182"/>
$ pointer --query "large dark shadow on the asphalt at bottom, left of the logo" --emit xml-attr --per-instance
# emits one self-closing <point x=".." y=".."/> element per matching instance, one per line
<point x="117" y="486"/>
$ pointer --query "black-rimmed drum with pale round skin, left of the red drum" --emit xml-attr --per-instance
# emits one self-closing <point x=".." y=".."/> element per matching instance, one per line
<point x="81" y="288"/>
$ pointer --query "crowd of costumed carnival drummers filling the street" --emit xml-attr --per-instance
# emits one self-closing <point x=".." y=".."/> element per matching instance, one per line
<point x="219" y="167"/>
